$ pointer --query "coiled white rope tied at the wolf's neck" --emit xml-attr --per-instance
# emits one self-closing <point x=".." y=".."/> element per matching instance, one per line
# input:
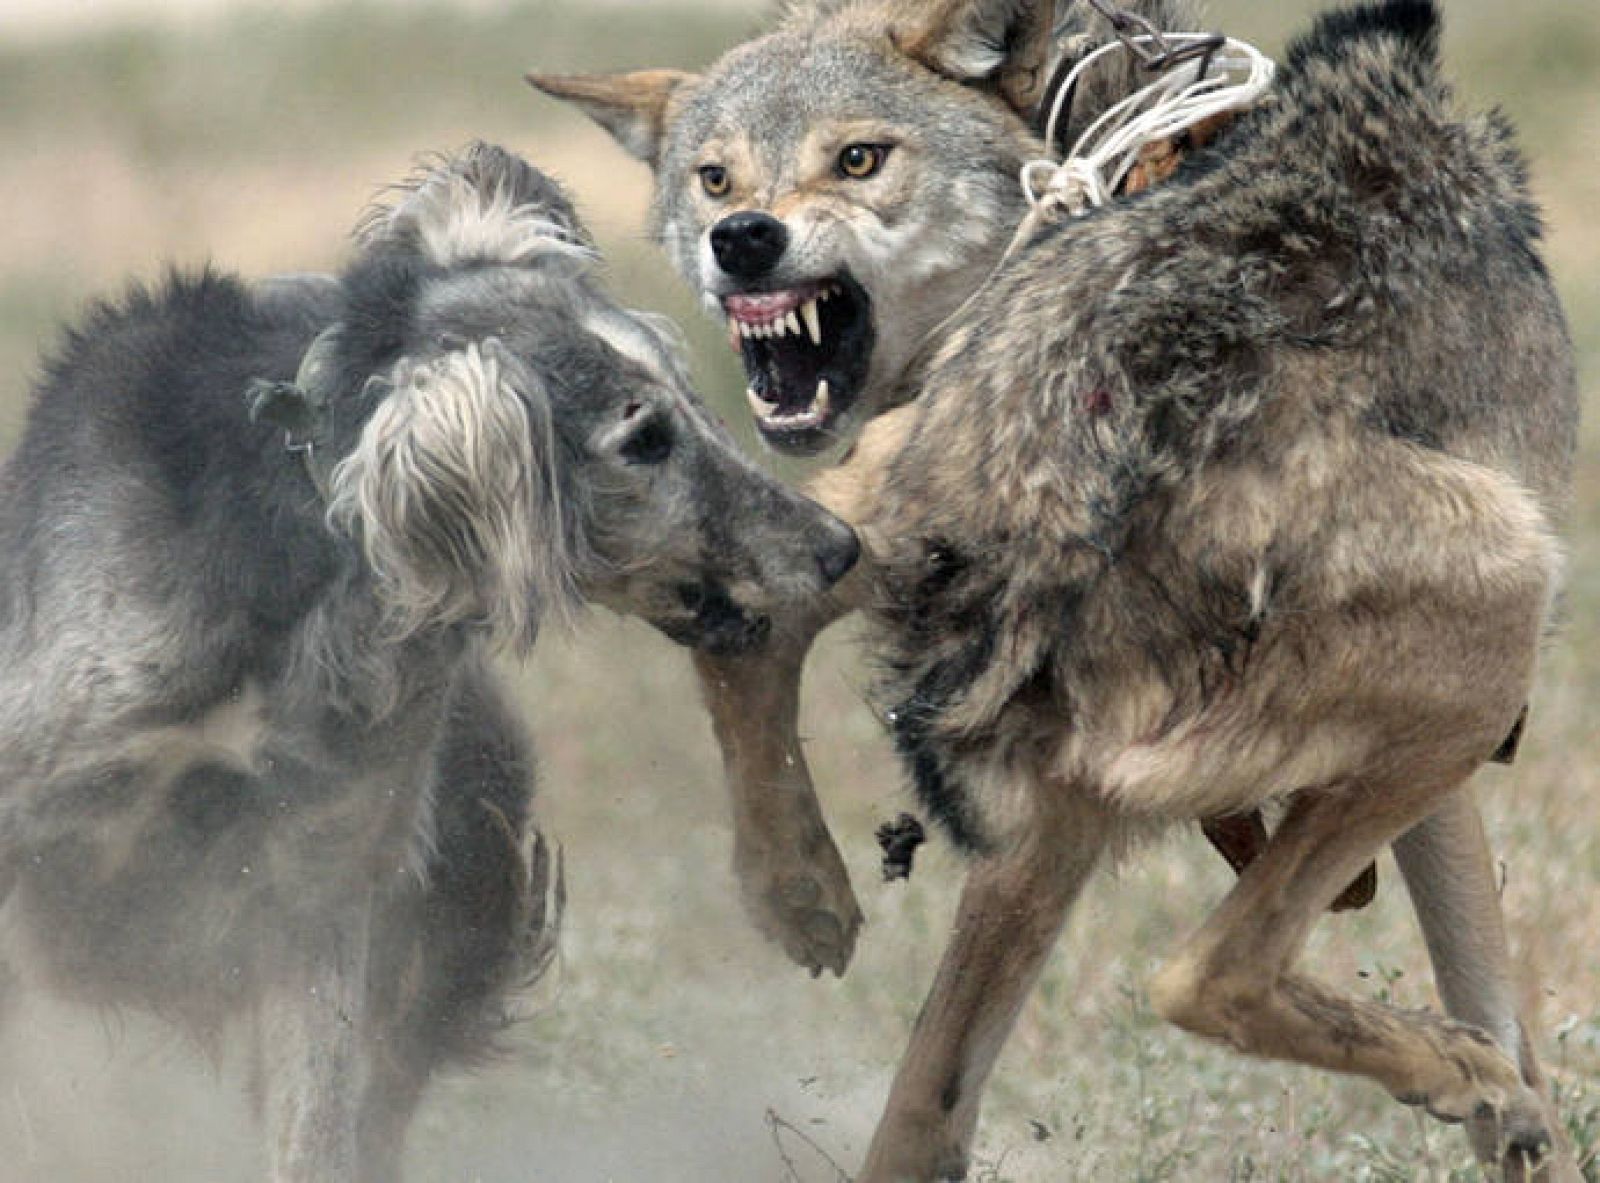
<point x="1236" y="76"/>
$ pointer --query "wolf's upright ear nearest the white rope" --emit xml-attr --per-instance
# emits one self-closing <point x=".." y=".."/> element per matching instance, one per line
<point x="1001" y="42"/>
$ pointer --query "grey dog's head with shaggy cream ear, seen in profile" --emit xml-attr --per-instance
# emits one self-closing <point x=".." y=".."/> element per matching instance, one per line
<point x="505" y="441"/>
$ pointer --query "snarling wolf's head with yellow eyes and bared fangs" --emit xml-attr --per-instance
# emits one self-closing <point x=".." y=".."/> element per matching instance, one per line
<point x="838" y="188"/>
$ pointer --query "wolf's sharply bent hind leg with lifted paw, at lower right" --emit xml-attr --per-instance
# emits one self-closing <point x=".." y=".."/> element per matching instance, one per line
<point x="1233" y="980"/>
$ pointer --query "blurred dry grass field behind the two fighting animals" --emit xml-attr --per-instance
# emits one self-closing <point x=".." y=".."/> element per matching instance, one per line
<point x="673" y="1032"/>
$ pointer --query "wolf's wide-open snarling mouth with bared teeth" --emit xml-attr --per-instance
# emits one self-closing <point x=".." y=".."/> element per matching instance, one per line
<point x="806" y="355"/>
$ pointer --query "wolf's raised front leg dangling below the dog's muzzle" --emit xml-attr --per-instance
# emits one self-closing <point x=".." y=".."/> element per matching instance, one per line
<point x="791" y="876"/>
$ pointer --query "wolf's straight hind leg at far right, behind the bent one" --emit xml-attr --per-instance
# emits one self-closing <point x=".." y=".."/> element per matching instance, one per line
<point x="1450" y="875"/>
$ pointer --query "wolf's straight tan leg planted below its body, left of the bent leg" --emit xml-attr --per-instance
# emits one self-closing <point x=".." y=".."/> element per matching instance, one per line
<point x="1012" y="910"/>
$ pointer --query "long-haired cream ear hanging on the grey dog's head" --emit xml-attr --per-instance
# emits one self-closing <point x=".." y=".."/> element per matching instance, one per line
<point x="454" y="495"/>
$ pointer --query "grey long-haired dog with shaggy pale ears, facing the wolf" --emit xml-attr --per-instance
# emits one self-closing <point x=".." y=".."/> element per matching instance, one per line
<point x="254" y="764"/>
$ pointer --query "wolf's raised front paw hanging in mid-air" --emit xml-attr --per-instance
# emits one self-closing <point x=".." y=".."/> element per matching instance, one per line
<point x="806" y="905"/>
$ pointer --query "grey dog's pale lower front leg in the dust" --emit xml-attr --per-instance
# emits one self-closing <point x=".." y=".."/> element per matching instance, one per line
<point x="314" y="1069"/>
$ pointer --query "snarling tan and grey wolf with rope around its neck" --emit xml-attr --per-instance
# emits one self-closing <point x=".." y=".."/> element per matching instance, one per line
<point x="1238" y="491"/>
